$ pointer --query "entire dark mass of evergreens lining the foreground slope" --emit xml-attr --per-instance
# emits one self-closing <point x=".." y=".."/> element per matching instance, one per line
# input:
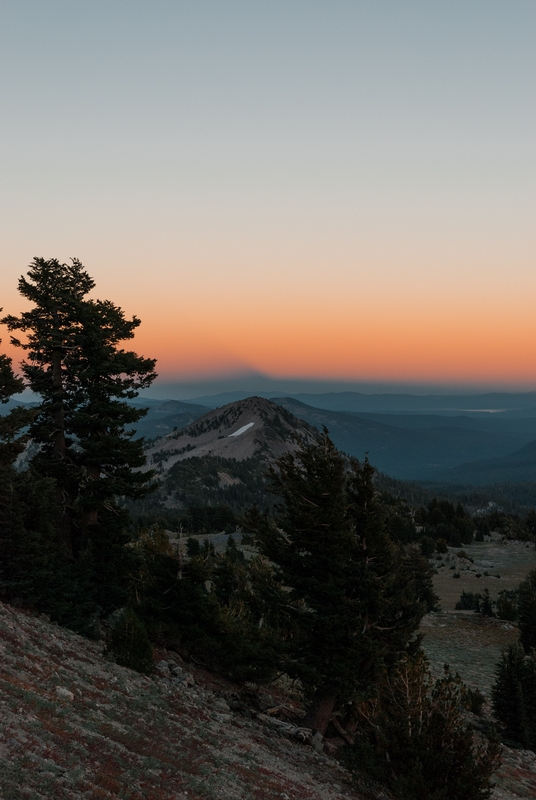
<point x="332" y="593"/>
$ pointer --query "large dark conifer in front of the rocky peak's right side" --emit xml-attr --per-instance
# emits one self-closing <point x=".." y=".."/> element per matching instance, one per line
<point x="353" y="596"/>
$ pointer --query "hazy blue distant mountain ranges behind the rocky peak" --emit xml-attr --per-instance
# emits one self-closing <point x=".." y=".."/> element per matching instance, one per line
<point x="461" y="439"/>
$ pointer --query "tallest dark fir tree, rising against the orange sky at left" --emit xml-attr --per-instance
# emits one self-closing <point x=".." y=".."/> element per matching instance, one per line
<point x="75" y="363"/>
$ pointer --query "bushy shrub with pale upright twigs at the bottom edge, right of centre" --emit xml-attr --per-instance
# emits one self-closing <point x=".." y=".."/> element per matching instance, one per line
<point x="413" y="738"/>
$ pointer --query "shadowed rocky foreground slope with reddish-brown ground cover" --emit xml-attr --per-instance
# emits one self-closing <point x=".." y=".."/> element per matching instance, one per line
<point x="73" y="725"/>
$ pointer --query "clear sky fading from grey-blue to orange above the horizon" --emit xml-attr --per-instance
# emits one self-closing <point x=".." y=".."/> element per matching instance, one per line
<point x="338" y="191"/>
